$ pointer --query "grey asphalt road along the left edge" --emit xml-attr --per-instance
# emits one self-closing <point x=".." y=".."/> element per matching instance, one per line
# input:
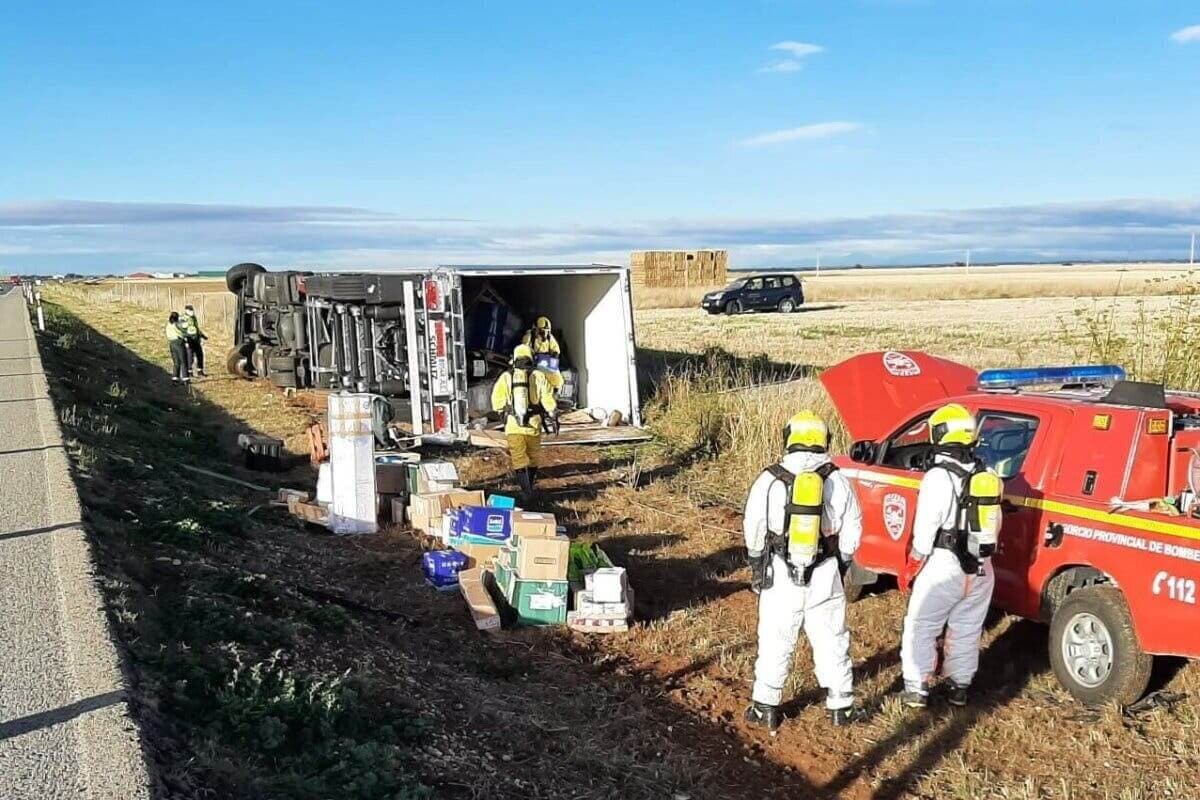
<point x="65" y="730"/>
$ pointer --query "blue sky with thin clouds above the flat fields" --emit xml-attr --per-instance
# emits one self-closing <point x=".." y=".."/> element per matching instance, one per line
<point x="394" y="135"/>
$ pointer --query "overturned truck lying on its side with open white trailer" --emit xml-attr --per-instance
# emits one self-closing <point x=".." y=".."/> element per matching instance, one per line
<point x="433" y="342"/>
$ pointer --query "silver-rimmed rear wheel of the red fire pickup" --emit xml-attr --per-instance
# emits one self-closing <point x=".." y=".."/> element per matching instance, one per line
<point x="1094" y="648"/>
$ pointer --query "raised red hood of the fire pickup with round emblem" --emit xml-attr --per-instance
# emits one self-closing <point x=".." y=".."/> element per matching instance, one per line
<point x="878" y="392"/>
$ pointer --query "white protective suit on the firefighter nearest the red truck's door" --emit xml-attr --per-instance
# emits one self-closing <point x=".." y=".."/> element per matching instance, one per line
<point x="943" y="596"/>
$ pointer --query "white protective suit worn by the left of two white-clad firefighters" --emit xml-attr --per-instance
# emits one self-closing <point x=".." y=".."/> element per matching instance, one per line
<point x="820" y="607"/>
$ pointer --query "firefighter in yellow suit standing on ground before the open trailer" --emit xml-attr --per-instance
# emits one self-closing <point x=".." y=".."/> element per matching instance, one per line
<point x="525" y="396"/>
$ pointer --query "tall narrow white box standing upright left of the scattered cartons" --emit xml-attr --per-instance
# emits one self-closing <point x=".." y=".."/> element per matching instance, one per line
<point x="352" y="465"/>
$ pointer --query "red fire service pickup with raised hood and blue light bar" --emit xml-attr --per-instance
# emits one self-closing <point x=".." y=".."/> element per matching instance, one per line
<point x="1099" y="538"/>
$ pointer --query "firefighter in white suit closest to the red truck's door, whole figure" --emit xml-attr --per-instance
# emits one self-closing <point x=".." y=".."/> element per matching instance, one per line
<point x="955" y="536"/>
